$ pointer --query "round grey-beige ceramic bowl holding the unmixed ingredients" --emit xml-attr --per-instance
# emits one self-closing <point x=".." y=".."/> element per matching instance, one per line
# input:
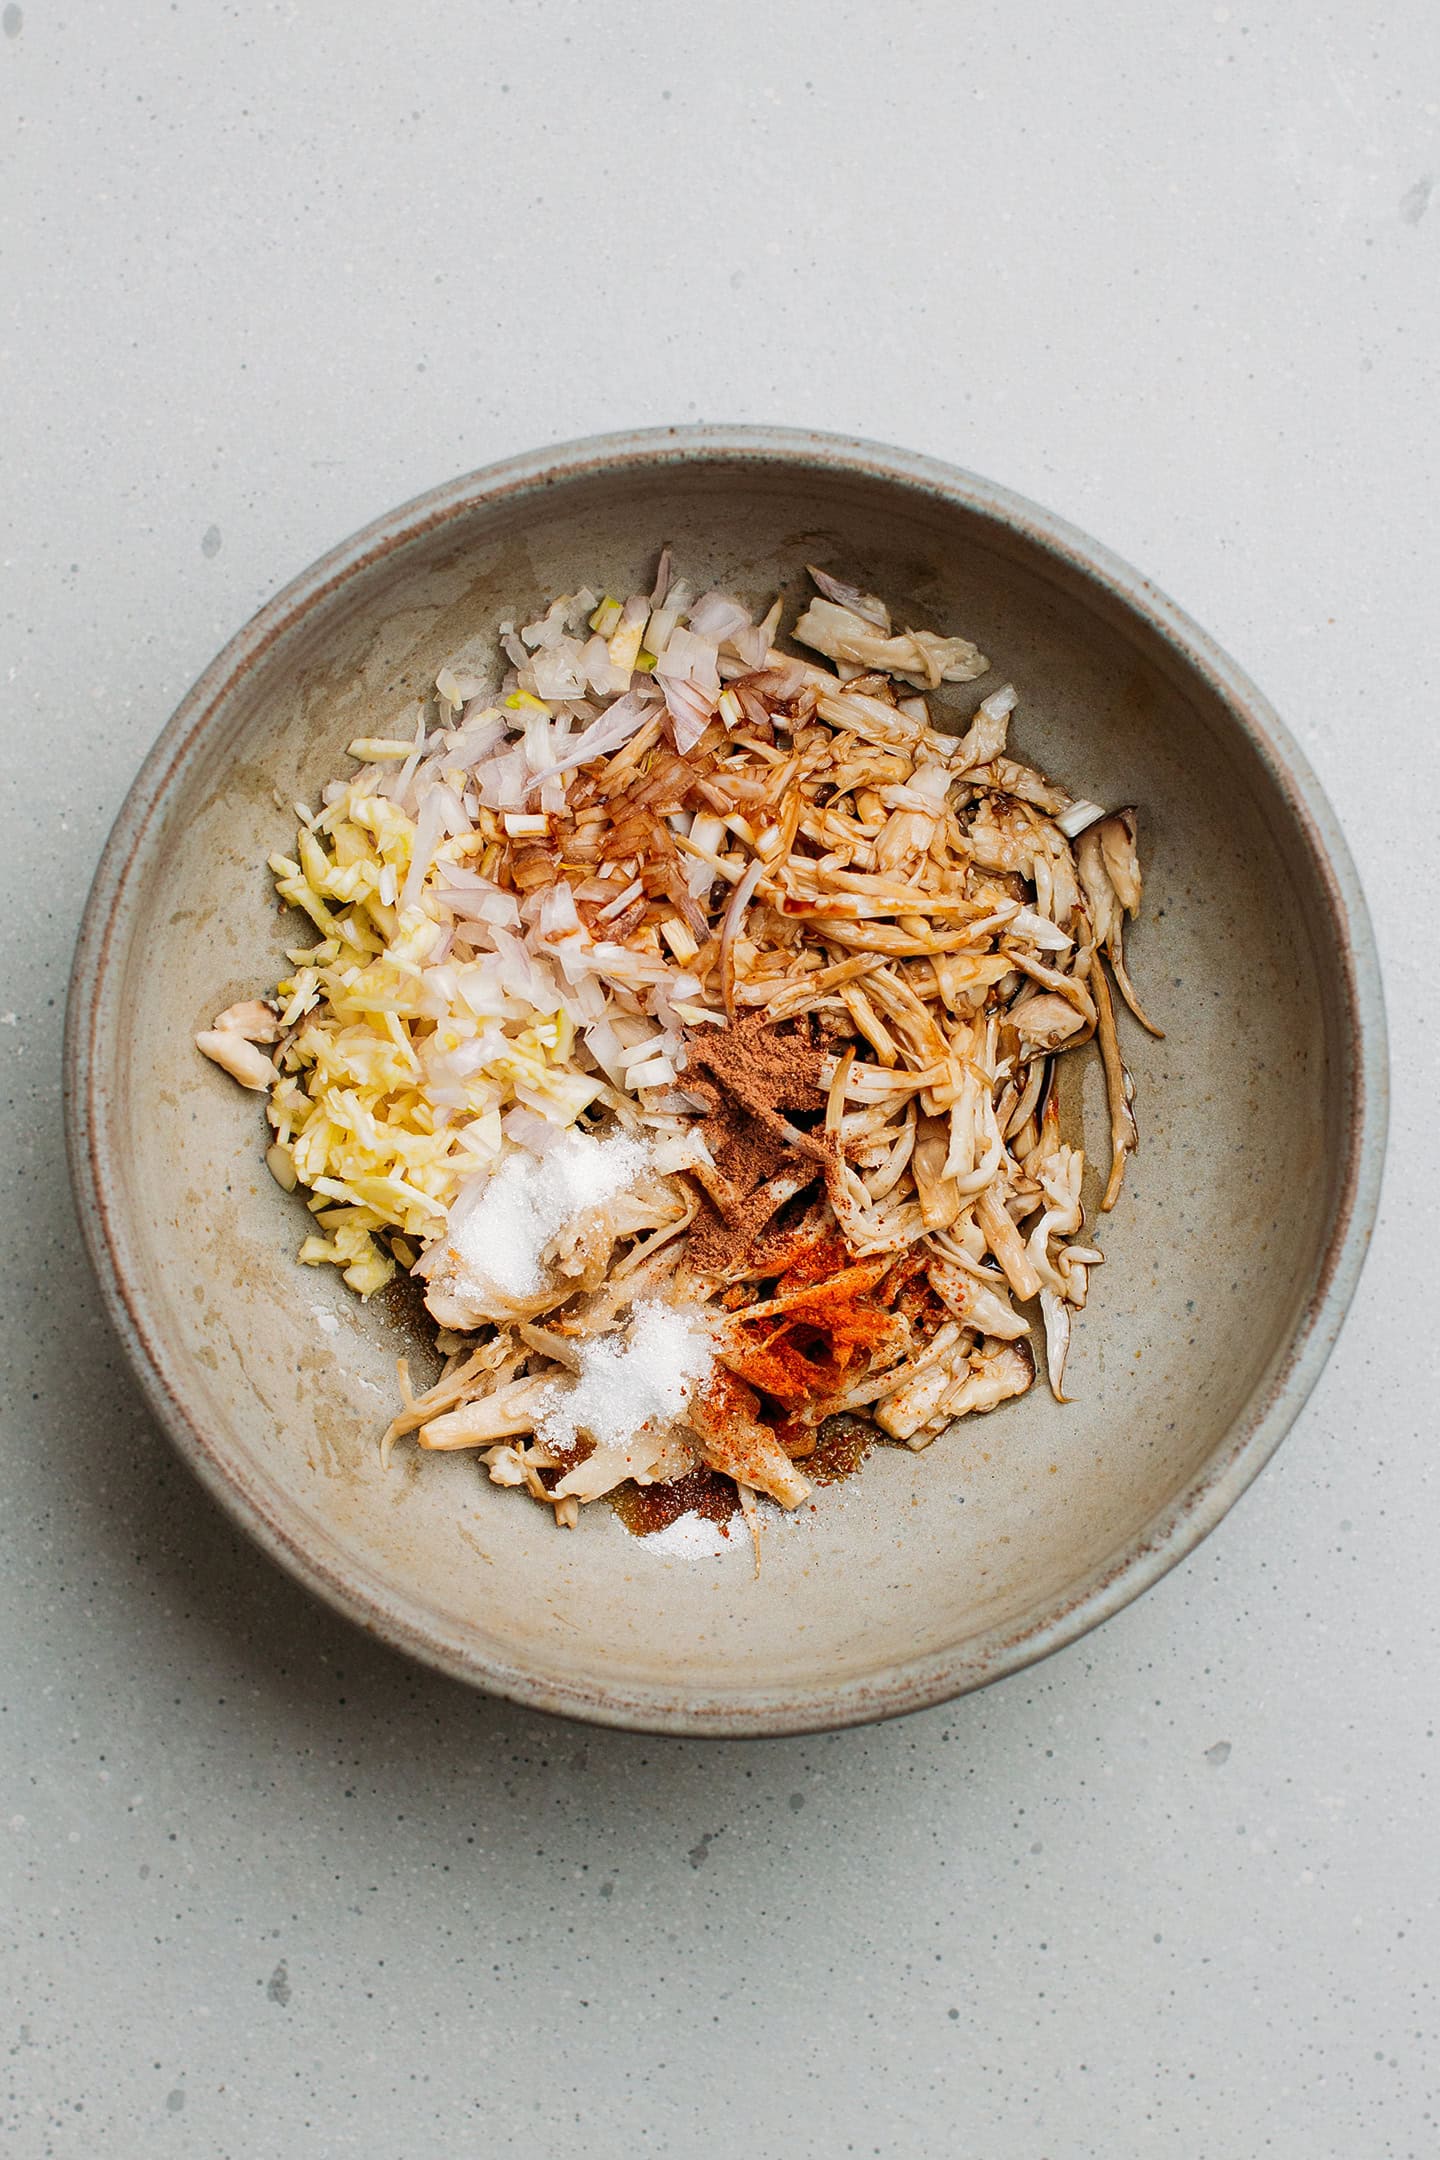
<point x="1230" y="1263"/>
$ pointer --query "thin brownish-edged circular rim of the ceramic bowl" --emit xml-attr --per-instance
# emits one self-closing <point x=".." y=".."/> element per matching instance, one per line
<point x="912" y="1684"/>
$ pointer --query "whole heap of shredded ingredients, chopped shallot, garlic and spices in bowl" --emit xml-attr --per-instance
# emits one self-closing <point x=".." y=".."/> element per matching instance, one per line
<point x="685" y="1016"/>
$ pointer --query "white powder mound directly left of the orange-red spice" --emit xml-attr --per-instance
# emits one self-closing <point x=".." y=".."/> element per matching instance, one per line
<point x="629" y="1383"/>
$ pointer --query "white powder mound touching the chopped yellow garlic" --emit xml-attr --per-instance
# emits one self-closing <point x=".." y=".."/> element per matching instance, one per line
<point x="500" y="1230"/>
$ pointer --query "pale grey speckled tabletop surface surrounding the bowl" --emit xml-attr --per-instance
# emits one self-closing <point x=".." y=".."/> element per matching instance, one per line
<point x="273" y="269"/>
